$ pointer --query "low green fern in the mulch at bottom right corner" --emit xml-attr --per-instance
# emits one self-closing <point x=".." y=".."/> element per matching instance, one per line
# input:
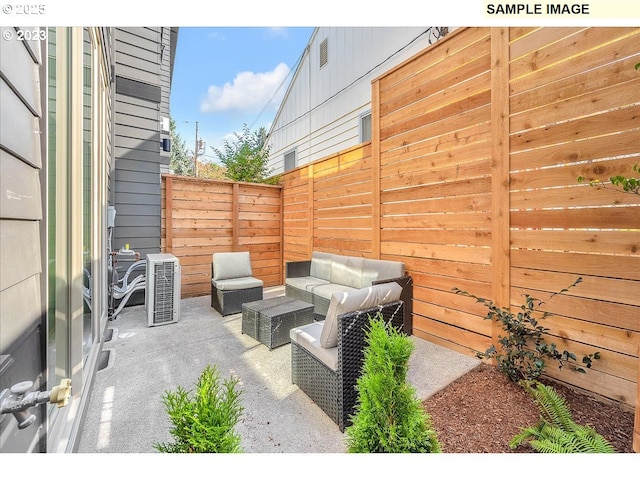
<point x="556" y="432"/>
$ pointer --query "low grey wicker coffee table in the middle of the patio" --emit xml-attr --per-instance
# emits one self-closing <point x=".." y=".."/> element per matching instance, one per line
<point x="270" y="320"/>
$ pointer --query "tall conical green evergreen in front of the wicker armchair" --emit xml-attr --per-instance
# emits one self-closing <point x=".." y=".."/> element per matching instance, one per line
<point x="388" y="416"/>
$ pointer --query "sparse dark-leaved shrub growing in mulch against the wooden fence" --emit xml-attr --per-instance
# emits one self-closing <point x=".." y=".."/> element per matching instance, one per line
<point x="523" y="351"/>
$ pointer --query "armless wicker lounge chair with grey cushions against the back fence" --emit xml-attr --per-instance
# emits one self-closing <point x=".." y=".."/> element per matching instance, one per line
<point x="232" y="283"/>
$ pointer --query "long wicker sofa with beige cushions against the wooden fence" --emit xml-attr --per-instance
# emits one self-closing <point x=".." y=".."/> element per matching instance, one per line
<point x="316" y="280"/>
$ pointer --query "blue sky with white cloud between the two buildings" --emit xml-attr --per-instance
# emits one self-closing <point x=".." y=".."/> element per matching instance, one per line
<point x="228" y="77"/>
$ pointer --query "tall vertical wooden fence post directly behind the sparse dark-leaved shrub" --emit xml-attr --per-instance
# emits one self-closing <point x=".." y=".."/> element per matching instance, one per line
<point x="500" y="222"/>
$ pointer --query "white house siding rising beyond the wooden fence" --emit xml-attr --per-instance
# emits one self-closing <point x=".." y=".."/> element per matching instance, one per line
<point x="320" y="112"/>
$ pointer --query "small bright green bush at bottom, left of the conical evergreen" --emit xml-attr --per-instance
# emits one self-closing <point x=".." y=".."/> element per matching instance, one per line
<point x="204" y="421"/>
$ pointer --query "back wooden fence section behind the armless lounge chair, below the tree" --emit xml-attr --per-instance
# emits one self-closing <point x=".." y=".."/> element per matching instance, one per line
<point x="201" y="217"/>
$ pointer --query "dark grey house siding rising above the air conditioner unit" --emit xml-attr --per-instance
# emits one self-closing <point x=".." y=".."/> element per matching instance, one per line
<point x="143" y="70"/>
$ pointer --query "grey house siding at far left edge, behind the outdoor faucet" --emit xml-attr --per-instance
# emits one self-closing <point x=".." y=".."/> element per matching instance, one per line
<point x="21" y="235"/>
